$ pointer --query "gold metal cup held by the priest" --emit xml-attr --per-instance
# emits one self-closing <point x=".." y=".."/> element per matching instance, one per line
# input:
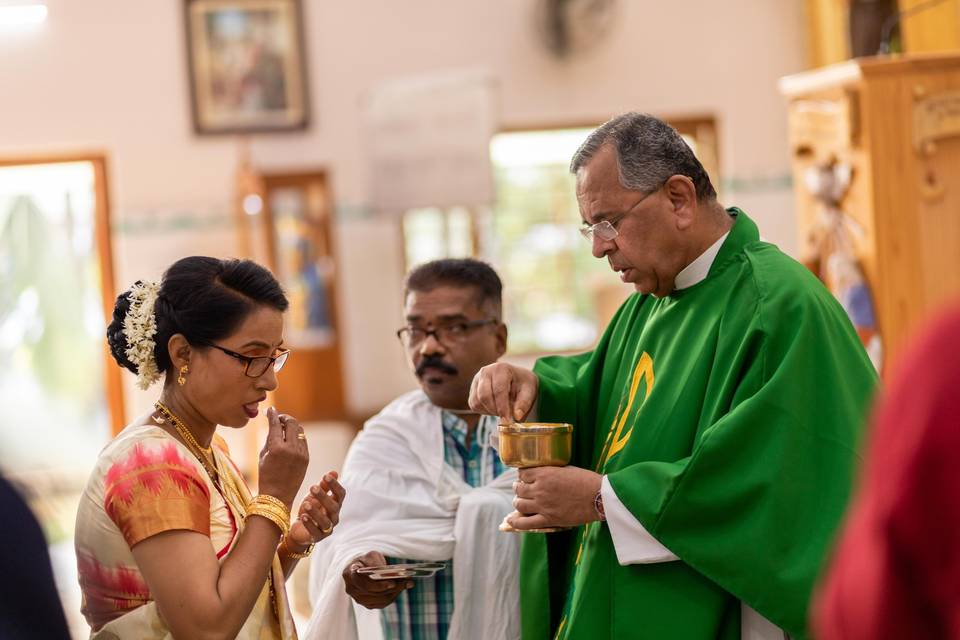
<point x="534" y="444"/>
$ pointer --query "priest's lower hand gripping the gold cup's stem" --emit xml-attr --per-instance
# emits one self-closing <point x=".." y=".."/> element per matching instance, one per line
<point x="554" y="497"/>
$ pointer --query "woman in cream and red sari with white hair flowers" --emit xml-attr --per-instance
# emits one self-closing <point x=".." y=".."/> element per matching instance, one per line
<point x="169" y="540"/>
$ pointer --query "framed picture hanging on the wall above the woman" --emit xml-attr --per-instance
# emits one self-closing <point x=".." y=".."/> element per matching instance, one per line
<point x="246" y="65"/>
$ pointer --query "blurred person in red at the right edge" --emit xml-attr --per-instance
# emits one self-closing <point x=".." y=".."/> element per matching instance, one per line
<point x="896" y="568"/>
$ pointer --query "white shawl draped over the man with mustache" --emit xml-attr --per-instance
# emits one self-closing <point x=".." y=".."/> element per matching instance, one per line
<point x="405" y="501"/>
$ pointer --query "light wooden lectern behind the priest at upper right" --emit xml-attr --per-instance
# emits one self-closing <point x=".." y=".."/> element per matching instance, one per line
<point x="896" y="122"/>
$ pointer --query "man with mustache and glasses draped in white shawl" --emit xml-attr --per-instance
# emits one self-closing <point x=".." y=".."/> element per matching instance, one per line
<point x="425" y="484"/>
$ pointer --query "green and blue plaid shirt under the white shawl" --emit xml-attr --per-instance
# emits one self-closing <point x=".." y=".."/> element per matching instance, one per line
<point x="424" y="612"/>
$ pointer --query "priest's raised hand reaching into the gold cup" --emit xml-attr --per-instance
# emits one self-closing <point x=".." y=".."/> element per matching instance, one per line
<point x="504" y="390"/>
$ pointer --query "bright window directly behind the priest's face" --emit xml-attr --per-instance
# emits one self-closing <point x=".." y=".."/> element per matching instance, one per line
<point x="550" y="277"/>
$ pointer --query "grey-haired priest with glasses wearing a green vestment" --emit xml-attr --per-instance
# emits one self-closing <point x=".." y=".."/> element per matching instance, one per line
<point x="716" y="423"/>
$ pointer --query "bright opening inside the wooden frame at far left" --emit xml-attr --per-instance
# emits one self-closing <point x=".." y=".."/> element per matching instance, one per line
<point x="52" y="322"/>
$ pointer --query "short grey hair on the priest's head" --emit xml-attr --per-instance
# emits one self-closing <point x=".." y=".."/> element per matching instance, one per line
<point x="649" y="152"/>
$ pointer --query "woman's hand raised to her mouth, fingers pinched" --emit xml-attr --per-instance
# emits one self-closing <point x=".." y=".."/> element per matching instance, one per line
<point x="284" y="458"/>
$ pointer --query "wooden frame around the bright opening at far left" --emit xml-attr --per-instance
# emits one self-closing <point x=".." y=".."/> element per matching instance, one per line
<point x="113" y="382"/>
